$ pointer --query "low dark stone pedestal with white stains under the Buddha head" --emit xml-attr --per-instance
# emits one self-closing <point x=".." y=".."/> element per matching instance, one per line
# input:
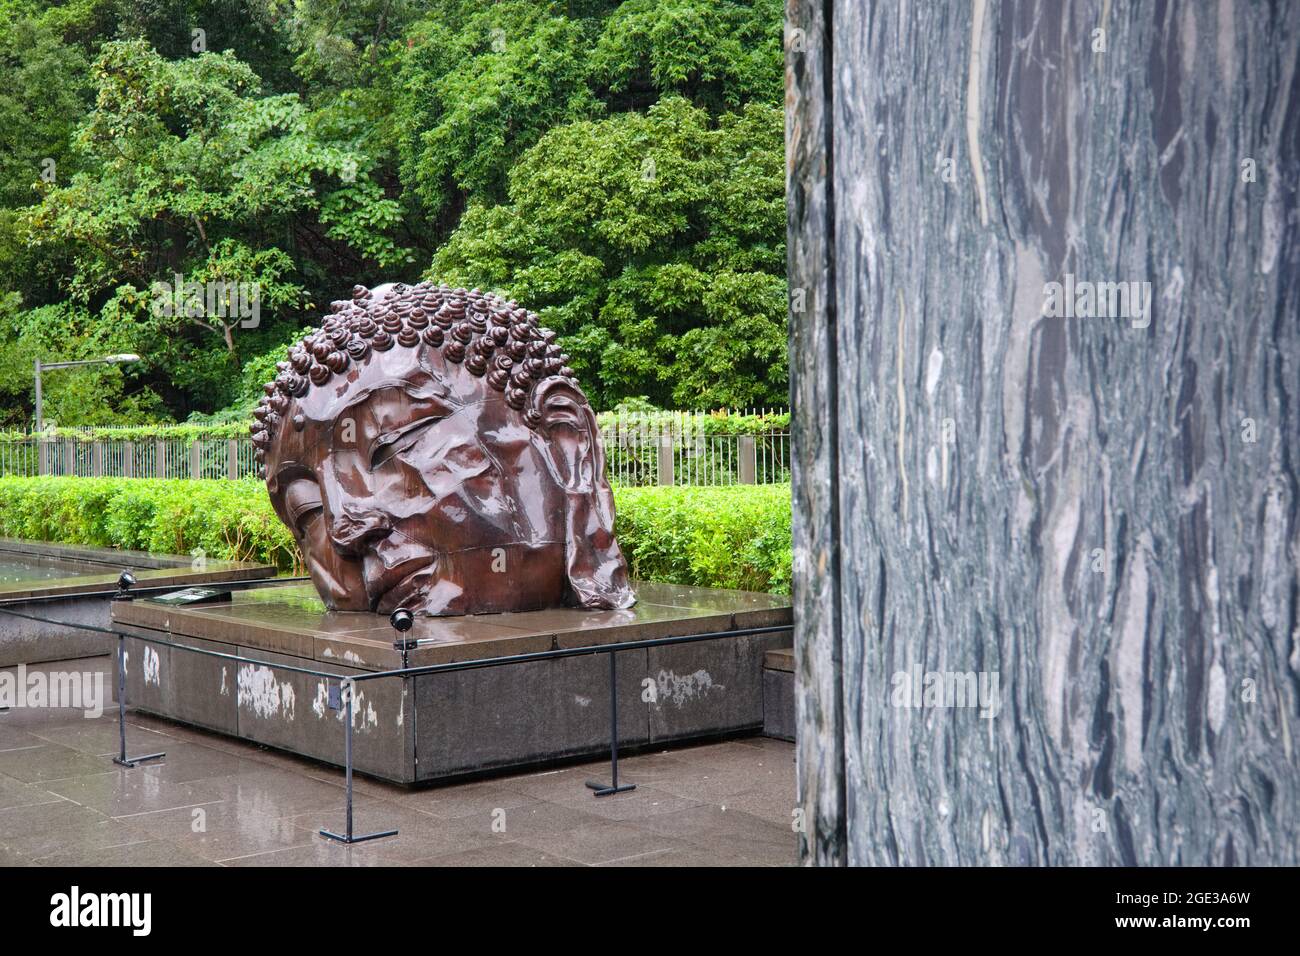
<point x="437" y="726"/>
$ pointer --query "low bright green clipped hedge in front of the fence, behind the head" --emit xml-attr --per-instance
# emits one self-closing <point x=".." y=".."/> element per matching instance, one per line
<point x="717" y="538"/>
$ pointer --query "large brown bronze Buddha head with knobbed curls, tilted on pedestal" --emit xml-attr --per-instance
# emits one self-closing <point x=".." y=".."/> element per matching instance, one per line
<point x="430" y="448"/>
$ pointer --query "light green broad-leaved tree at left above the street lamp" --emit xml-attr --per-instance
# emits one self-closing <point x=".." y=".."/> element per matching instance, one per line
<point x="190" y="174"/>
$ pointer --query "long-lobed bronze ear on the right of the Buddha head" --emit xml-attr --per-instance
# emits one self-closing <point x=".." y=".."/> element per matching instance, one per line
<point x="571" y="443"/>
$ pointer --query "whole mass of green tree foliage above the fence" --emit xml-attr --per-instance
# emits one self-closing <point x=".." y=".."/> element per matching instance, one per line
<point x="614" y="163"/>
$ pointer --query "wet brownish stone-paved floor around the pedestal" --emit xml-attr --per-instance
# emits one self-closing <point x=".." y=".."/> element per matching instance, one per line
<point x="215" y="801"/>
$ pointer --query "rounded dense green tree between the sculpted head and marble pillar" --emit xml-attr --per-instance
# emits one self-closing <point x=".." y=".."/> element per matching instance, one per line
<point x="655" y="244"/>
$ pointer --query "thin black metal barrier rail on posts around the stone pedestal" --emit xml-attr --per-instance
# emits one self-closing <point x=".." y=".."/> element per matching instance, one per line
<point x="401" y="621"/>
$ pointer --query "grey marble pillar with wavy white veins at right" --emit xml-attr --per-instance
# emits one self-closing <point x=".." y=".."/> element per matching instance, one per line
<point x="1046" y="535"/>
